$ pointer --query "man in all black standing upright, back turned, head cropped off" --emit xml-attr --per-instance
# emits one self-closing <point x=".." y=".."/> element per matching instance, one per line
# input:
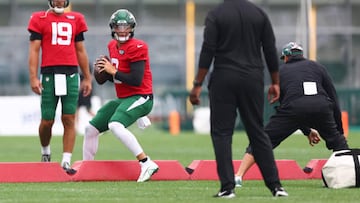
<point x="236" y="32"/>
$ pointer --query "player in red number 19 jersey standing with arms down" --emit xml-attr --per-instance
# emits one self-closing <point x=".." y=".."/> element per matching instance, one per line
<point x="60" y="37"/>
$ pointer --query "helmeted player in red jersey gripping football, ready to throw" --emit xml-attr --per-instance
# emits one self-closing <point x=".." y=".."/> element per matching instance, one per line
<point x="130" y="67"/>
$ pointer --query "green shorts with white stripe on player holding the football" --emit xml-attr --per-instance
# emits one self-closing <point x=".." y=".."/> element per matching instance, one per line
<point x="123" y="110"/>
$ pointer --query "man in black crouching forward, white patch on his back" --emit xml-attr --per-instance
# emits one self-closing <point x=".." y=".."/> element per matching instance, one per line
<point x="307" y="98"/>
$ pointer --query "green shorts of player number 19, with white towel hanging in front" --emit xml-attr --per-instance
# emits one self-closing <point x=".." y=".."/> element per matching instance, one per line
<point x="49" y="101"/>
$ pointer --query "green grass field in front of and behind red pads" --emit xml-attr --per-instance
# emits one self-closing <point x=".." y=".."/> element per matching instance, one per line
<point x="160" y="145"/>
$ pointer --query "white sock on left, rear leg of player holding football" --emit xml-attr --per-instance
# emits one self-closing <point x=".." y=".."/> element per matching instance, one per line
<point x="91" y="142"/>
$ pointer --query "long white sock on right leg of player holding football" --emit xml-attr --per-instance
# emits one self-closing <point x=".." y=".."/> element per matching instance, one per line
<point x="126" y="137"/>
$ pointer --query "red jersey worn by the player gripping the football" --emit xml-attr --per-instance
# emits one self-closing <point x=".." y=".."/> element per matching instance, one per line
<point x="131" y="51"/>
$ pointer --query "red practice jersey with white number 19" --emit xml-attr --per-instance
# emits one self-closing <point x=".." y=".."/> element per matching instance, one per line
<point x="58" y="36"/>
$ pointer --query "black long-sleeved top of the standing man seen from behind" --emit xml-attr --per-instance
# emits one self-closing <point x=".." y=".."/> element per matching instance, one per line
<point x="235" y="34"/>
